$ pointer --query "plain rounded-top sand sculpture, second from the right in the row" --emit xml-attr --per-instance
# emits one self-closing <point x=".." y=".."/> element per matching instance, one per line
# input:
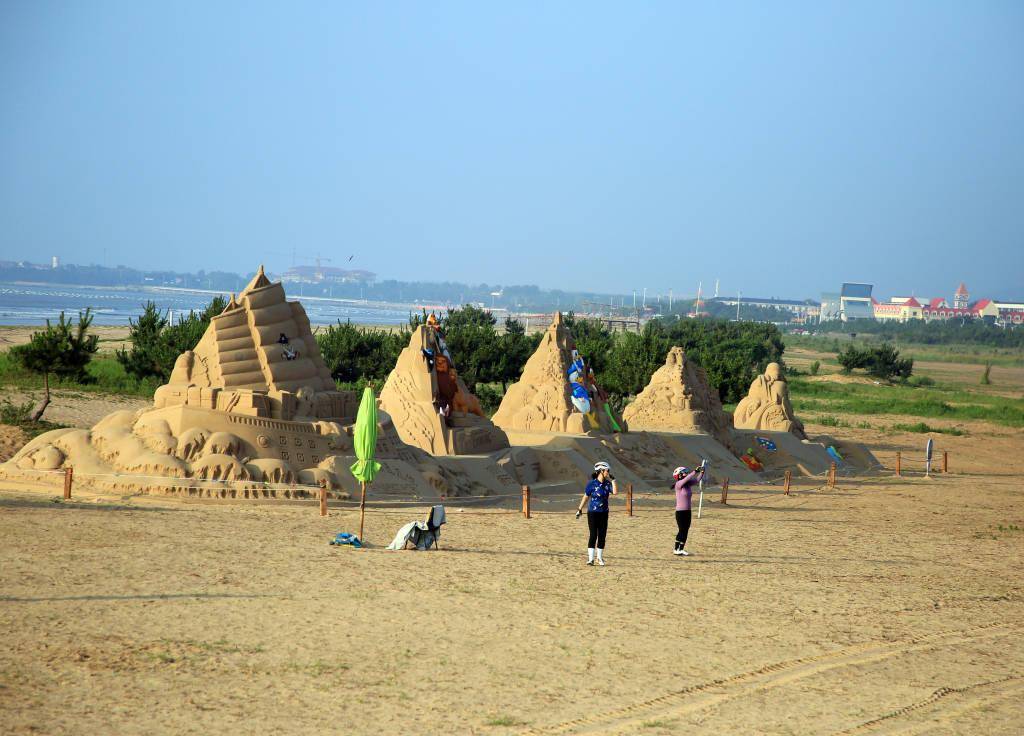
<point x="680" y="400"/>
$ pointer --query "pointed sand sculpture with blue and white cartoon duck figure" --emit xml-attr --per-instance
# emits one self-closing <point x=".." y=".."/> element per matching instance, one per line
<point x="557" y="393"/>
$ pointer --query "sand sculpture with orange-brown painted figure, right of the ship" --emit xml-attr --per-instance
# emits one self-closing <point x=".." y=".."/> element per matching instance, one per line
<point x="430" y="404"/>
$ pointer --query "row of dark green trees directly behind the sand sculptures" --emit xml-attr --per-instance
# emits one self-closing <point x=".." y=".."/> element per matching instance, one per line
<point x="732" y="353"/>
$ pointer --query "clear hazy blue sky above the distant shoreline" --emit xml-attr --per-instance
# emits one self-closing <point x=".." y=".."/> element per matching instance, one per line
<point x="780" y="148"/>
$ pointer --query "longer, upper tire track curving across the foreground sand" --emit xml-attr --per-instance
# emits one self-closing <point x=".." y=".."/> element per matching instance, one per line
<point x="772" y="676"/>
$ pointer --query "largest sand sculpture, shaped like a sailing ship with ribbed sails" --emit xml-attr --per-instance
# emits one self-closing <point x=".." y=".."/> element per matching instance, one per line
<point x="253" y="405"/>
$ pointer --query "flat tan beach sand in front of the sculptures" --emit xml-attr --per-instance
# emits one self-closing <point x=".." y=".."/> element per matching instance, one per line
<point x="889" y="604"/>
